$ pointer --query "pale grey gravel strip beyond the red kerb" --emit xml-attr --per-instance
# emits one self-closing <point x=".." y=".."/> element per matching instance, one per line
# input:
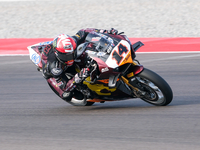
<point x="137" y="18"/>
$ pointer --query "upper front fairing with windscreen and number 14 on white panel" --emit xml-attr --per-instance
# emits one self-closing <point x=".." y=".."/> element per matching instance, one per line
<point x="114" y="52"/>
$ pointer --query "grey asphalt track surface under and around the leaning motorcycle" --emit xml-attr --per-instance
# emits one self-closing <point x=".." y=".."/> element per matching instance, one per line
<point x="32" y="117"/>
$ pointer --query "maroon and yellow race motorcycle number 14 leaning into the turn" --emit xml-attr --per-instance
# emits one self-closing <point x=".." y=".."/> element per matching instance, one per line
<point x="117" y="76"/>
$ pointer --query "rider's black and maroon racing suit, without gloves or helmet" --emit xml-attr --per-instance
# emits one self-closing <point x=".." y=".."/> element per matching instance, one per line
<point x="55" y="71"/>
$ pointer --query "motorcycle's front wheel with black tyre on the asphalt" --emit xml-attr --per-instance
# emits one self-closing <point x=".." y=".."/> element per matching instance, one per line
<point x="155" y="89"/>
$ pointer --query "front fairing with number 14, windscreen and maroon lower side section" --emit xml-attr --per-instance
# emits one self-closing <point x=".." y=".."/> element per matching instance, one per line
<point x="109" y="55"/>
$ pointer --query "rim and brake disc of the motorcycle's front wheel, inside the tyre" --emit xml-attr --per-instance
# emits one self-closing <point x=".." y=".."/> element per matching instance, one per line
<point x="153" y="93"/>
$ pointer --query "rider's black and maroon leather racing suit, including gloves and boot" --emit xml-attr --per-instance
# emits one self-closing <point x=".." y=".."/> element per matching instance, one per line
<point x="63" y="79"/>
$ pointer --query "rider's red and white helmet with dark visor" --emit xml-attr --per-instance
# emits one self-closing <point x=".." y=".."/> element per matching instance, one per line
<point x="64" y="46"/>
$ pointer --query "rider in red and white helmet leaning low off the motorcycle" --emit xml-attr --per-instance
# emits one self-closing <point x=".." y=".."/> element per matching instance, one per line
<point x="60" y="59"/>
